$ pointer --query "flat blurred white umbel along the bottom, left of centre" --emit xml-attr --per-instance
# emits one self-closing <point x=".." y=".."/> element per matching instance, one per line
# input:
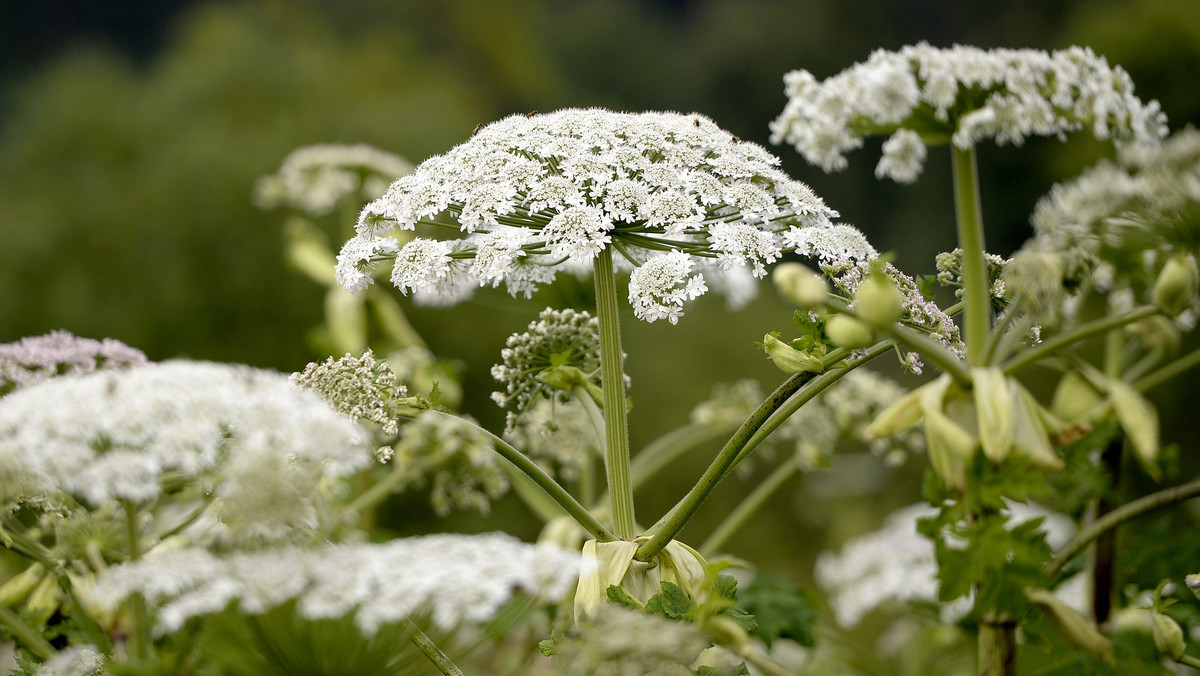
<point x="455" y="579"/>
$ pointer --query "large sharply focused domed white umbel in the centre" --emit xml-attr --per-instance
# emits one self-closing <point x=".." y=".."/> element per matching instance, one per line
<point x="532" y="195"/>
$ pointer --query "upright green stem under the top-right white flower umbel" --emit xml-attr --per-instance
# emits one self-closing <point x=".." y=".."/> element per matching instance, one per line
<point x="976" y="290"/>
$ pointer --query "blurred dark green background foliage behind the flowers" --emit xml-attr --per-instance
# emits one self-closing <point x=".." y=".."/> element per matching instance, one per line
<point x="131" y="137"/>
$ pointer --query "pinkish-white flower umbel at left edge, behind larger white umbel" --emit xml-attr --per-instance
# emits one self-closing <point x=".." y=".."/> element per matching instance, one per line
<point x="59" y="354"/>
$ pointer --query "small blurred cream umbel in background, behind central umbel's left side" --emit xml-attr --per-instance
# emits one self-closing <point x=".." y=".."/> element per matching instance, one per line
<point x="314" y="178"/>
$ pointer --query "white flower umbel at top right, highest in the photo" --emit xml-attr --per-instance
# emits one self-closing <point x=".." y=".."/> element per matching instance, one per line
<point x="922" y="94"/>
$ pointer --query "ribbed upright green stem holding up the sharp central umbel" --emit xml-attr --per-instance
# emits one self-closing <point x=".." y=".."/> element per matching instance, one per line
<point x="613" y="380"/>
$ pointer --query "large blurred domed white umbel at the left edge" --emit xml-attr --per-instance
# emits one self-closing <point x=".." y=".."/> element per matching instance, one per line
<point x="113" y="436"/>
